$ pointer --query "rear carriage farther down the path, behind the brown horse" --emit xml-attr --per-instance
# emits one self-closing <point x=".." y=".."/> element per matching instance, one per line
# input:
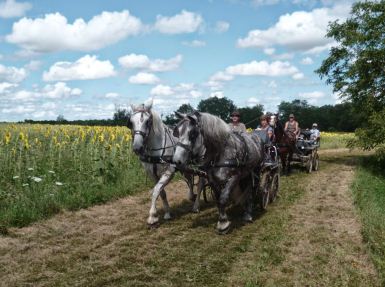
<point x="306" y="152"/>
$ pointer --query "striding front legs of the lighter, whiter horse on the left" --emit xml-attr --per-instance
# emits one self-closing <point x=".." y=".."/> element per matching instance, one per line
<point x="159" y="190"/>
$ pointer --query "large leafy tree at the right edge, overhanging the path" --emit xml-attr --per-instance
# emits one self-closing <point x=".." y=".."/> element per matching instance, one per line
<point x="355" y="67"/>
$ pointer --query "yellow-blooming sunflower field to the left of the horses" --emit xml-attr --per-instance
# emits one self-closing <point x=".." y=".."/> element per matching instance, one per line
<point x="45" y="169"/>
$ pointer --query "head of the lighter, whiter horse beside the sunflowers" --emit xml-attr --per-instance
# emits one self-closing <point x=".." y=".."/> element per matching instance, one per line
<point x="140" y="123"/>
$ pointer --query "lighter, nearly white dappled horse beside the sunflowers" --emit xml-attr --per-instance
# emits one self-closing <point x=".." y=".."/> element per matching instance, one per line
<point x="154" y="143"/>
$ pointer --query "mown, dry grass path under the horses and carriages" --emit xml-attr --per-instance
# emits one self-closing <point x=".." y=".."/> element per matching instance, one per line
<point x="309" y="237"/>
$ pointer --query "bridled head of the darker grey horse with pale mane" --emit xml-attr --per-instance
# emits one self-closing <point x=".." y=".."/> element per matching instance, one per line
<point x="190" y="145"/>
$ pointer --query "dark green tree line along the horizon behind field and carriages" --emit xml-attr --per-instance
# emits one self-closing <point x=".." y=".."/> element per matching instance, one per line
<point x="340" y="117"/>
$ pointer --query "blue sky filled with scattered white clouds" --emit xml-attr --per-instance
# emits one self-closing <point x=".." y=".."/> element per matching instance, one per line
<point x="82" y="59"/>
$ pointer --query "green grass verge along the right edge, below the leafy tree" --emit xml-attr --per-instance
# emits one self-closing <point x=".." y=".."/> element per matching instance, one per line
<point x="369" y="194"/>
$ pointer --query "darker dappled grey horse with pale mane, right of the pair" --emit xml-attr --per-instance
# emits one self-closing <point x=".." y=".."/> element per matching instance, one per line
<point x="228" y="158"/>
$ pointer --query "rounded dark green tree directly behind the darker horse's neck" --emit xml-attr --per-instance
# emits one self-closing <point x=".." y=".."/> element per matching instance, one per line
<point x="221" y="107"/>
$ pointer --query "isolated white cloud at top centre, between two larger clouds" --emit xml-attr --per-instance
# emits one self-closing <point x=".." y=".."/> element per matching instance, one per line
<point x="184" y="22"/>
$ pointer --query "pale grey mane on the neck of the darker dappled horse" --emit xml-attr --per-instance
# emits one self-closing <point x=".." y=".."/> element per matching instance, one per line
<point x="215" y="130"/>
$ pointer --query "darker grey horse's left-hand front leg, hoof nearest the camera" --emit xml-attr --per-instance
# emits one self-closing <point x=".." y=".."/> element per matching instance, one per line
<point x="223" y="224"/>
